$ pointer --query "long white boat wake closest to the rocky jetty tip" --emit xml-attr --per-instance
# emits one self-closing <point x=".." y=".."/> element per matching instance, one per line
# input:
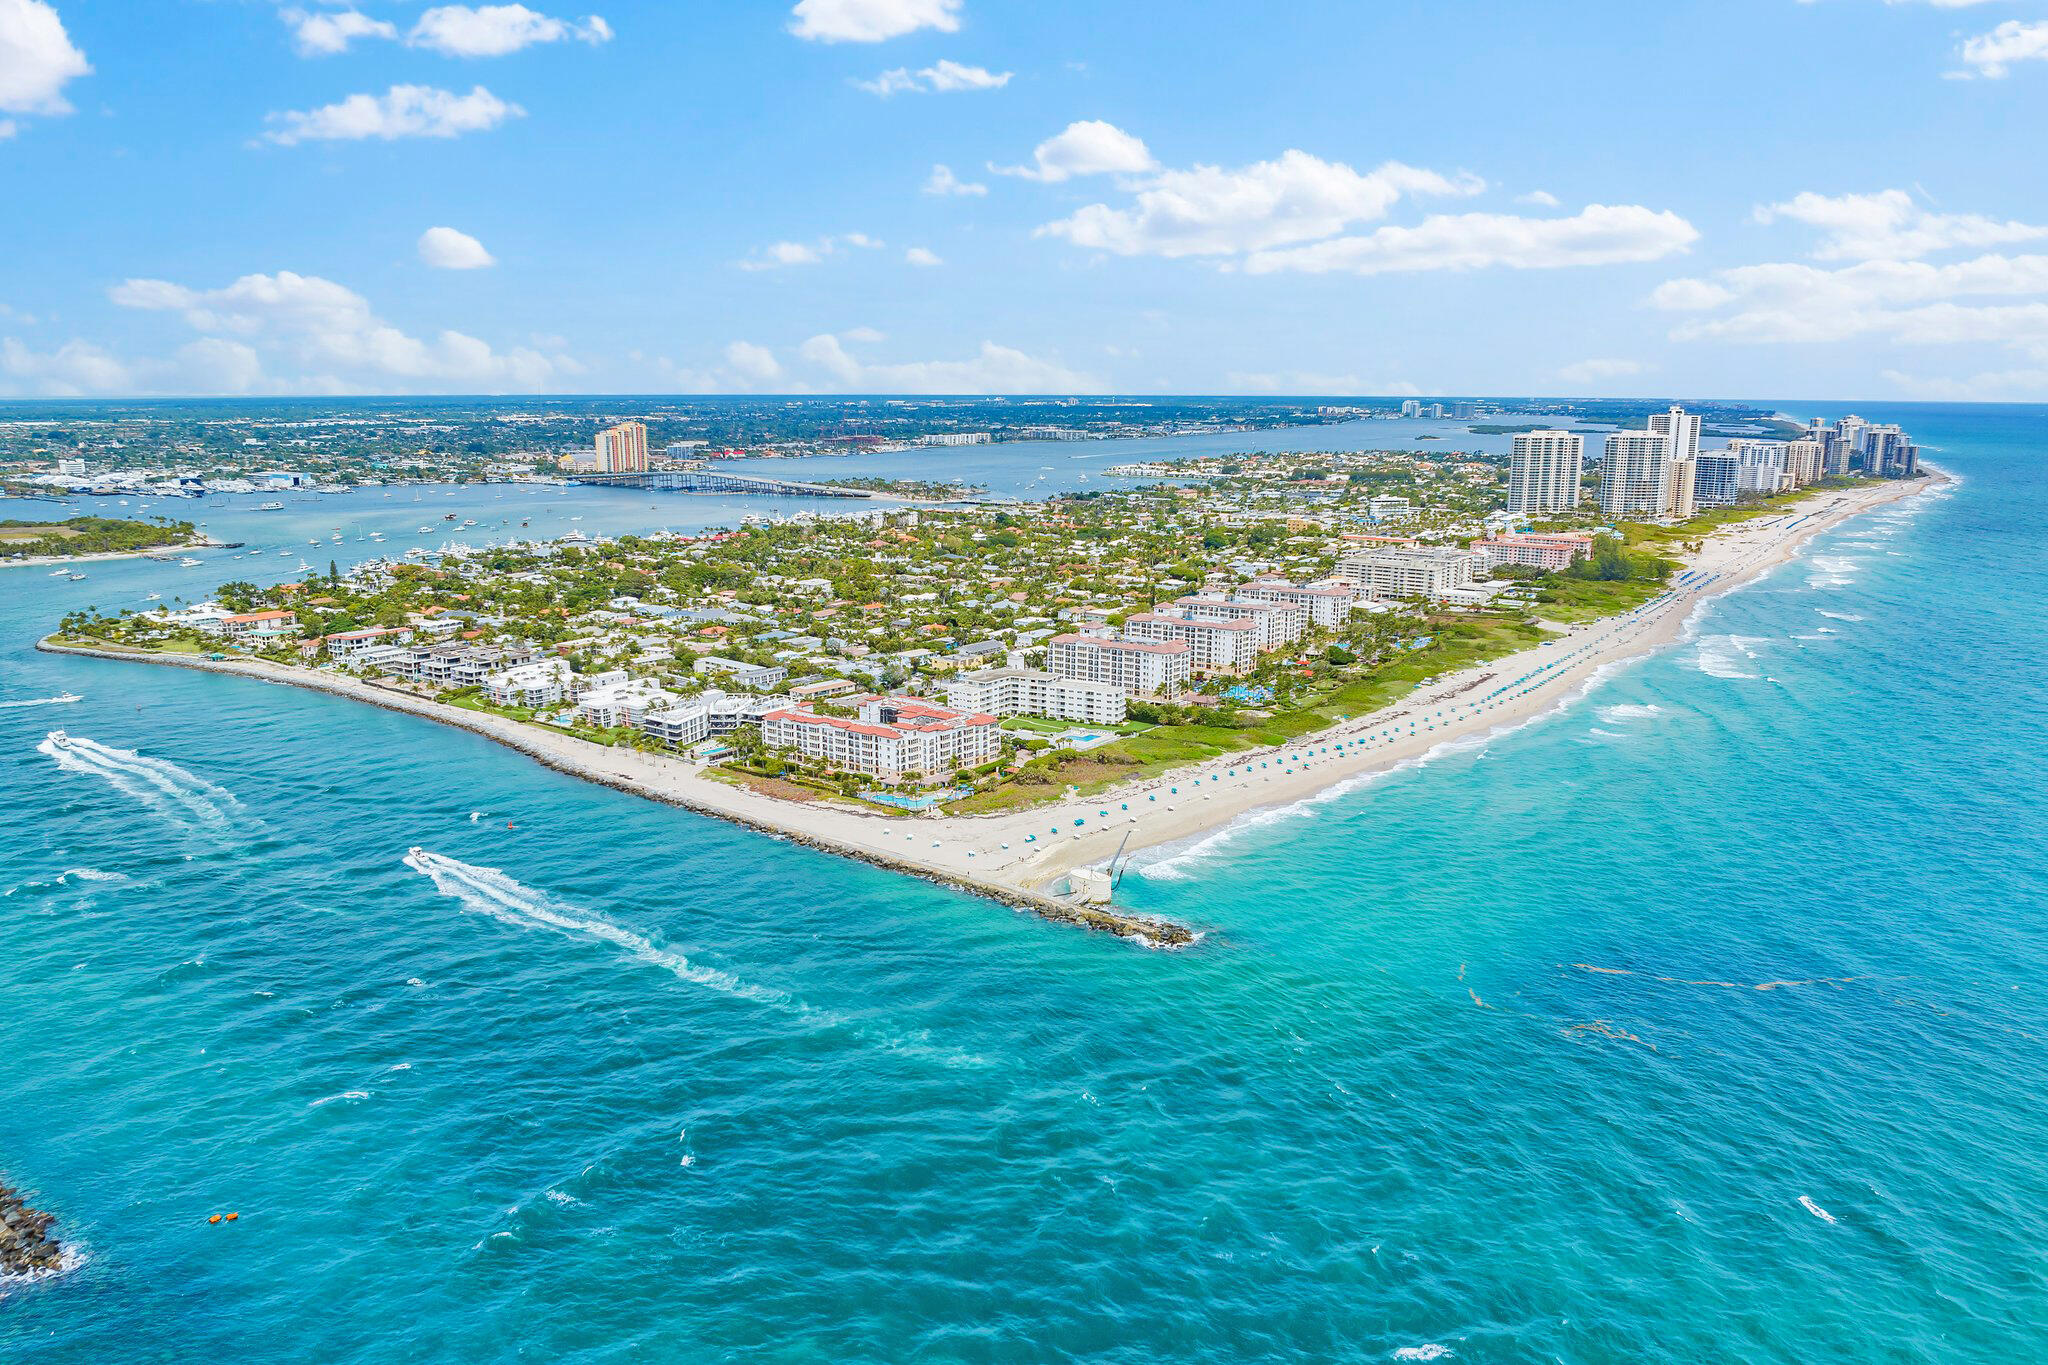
<point x="488" y="891"/>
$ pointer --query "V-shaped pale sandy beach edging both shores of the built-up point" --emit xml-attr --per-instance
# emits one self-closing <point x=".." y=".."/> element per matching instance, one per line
<point x="1025" y="858"/>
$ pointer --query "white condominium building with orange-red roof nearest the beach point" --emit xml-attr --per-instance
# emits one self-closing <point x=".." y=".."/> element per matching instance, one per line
<point x="894" y="738"/>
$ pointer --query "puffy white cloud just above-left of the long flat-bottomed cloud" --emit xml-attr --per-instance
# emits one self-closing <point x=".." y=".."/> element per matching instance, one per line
<point x="1215" y="212"/>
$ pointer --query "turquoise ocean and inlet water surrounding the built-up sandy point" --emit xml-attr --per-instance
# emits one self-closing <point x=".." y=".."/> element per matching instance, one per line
<point x="1697" y="1022"/>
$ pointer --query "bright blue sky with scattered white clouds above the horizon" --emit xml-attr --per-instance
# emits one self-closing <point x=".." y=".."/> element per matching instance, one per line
<point x="1373" y="197"/>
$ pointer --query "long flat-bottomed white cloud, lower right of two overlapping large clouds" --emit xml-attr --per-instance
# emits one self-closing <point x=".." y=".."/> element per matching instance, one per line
<point x="1596" y="236"/>
